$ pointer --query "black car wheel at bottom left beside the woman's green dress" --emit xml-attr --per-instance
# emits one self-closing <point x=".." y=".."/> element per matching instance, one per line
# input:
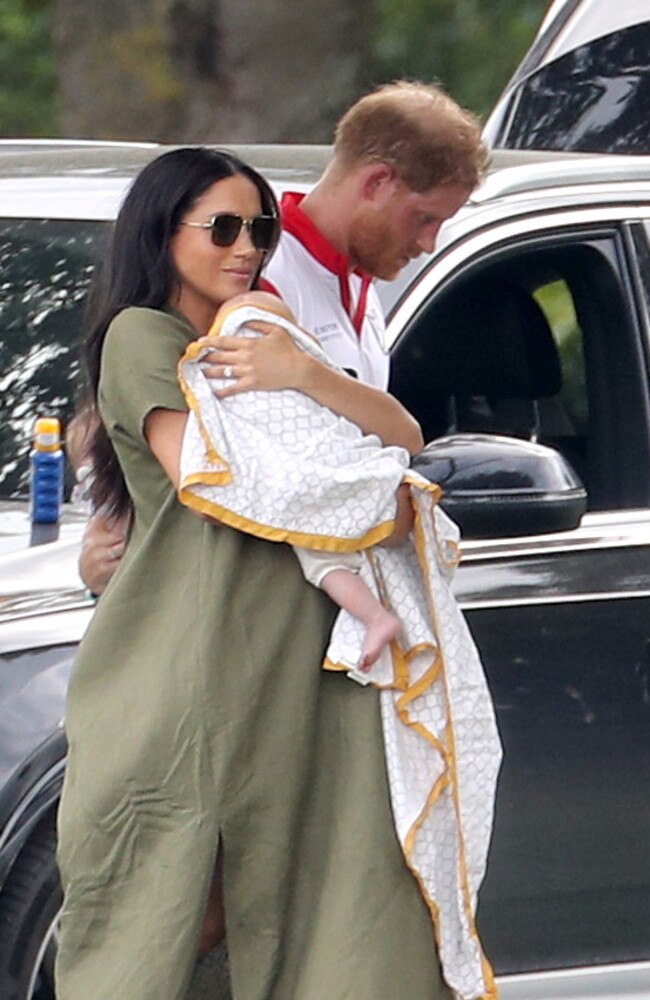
<point x="30" y="903"/>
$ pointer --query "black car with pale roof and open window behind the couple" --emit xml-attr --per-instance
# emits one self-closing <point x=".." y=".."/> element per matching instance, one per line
<point x="522" y="347"/>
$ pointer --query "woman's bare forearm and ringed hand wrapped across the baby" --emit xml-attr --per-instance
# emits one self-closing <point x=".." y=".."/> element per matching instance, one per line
<point x="273" y="361"/>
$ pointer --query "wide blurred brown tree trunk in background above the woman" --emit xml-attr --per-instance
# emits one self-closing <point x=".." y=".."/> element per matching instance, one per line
<point x="210" y="70"/>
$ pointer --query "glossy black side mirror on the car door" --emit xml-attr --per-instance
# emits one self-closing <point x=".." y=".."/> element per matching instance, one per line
<point x="497" y="486"/>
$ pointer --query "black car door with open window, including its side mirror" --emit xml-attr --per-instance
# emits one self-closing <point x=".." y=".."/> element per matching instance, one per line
<point x="562" y="621"/>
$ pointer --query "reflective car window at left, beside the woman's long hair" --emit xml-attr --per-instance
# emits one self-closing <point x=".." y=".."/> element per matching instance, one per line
<point x="45" y="268"/>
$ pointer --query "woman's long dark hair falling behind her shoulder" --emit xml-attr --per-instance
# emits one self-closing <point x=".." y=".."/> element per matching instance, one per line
<point x="138" y="271"/>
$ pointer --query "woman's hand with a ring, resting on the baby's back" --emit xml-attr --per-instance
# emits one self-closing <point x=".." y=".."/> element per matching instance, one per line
<point x="270" y="362"/>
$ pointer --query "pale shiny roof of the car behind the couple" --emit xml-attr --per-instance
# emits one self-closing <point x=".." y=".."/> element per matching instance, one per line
<point x="86" y="179"/>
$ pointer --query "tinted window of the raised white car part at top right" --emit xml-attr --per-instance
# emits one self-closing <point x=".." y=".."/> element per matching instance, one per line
<point x="593" y="99"/>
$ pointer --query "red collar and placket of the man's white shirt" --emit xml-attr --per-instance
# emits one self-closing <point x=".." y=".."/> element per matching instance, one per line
<point x="296" y="222"/>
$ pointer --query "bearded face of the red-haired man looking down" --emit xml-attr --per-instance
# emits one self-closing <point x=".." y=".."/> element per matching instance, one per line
<point x="391" y="230"/>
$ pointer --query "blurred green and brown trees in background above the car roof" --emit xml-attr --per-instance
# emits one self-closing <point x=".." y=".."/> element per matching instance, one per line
<point x="241" y="68"/>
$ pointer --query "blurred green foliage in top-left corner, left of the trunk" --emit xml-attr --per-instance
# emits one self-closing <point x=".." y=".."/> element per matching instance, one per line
<point x="28" y="82"/>
